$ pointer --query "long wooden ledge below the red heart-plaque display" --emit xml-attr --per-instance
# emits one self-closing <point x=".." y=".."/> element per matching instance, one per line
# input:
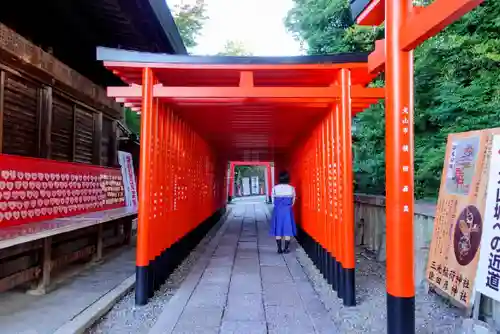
<point x="32" y="253"/>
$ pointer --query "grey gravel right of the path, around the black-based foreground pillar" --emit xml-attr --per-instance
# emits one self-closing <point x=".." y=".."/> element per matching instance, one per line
<point x="433" y="314"/>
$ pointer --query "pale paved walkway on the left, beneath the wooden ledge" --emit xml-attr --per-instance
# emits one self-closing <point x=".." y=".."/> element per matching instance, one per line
<point x="21" y="313"/>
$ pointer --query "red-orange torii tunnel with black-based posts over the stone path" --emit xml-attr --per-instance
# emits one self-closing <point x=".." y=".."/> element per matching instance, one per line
<point x="295" y="111"/>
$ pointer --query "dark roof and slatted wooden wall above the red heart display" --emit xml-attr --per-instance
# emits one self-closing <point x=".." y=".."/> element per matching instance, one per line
<point x="52" y="104"/>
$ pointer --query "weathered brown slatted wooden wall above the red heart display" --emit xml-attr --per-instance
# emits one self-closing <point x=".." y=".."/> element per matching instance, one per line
<point x="48" y="110"/>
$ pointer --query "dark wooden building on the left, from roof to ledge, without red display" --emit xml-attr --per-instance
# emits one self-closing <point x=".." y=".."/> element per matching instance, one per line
<point x="53" y="106"/>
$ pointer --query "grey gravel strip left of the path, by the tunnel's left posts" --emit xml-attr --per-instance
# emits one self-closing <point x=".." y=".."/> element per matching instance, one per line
<point x="125" y="317"/>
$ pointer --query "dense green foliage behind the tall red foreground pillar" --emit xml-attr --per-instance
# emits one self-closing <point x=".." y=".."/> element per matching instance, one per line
<point x="457" y="85"/>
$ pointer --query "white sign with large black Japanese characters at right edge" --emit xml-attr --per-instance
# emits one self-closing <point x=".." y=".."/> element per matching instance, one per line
<point x="488" y="274"/>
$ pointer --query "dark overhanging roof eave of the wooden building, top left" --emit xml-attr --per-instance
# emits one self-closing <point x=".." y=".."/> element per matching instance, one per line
<point x="73" y="29"/>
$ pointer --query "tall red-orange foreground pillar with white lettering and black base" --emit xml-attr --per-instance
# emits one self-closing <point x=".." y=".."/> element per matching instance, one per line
<point x="406" y="27"/>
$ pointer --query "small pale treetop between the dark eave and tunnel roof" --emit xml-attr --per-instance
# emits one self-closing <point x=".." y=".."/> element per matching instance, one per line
<point x="190" y="19"/>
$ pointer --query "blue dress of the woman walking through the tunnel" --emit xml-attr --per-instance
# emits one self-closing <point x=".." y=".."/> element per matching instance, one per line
<point x="282" y="221"/>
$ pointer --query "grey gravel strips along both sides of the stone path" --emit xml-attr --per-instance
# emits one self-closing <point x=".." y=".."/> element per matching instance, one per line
<point x="433" y="314"/>
